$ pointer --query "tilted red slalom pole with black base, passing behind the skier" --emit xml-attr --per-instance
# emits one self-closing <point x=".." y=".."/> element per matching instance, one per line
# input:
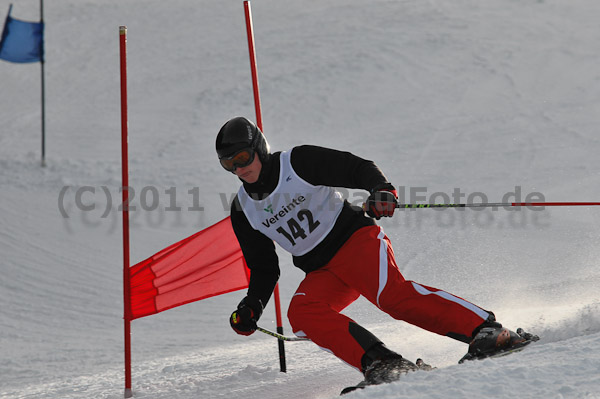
<point x="253" y="70"/>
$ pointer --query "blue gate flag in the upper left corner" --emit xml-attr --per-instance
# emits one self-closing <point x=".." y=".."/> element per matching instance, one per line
<point x="22" y="41"/>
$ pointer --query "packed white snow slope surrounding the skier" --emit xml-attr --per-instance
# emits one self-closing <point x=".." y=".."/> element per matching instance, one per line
<point x="468" y="99"/>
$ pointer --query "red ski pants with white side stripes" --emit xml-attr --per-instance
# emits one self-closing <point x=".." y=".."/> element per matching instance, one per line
<point x="365" y="265"/>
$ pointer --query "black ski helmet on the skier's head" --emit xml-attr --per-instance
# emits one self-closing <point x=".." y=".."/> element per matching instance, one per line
<point x="239" y="133"/>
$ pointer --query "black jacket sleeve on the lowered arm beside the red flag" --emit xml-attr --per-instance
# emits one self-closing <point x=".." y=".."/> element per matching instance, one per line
<point x="260" y="255"/>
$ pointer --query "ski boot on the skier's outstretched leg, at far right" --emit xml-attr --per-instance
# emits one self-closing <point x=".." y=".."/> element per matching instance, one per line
<point x="494" y="340"/>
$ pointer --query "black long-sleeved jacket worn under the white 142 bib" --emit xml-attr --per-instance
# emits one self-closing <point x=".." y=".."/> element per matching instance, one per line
<point x="320" y="167"/>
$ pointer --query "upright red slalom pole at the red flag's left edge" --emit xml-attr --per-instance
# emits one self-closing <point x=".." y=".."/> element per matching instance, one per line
<point x="125" y="192"/>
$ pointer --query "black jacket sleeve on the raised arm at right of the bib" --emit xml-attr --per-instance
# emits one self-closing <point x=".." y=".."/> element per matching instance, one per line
<point x="327" y="167"/>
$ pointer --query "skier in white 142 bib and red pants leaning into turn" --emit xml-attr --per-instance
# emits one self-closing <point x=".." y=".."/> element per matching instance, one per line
<point x="289" y="197"/>
